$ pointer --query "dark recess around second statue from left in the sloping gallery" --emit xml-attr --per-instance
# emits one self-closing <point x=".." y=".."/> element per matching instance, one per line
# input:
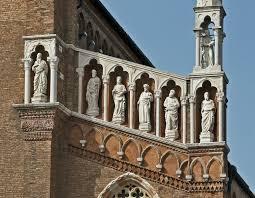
<point x="118" y="71"/>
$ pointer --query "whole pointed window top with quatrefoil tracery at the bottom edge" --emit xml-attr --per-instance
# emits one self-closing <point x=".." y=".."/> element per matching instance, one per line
<point x="129" y="185"/>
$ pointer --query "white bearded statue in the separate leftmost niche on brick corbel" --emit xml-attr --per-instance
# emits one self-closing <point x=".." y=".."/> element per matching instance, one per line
<point x="40" y="68"/>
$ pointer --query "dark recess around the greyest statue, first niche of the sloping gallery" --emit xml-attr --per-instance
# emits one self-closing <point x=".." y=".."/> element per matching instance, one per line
<point x="93" y="65"/>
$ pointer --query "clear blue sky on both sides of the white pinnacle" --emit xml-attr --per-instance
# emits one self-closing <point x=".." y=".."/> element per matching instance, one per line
<point x="163" y="30"/>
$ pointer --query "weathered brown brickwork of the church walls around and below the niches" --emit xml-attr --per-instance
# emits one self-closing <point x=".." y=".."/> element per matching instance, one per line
<point x="40" y="152"/>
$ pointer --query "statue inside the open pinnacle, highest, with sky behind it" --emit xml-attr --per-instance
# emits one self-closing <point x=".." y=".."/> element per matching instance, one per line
<point x="207" y="49"/>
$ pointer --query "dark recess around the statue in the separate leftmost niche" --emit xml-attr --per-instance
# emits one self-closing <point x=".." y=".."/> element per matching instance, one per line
<point x="45" y="55"/>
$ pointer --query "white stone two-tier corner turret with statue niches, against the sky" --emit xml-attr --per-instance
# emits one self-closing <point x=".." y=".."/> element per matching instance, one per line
<point x="208" y="80"/>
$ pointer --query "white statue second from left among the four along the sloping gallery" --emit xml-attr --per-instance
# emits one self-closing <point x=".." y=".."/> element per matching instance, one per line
<point x="118" y="94"/>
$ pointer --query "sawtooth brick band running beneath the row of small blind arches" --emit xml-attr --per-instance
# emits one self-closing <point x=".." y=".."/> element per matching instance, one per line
<point x="154" y="176"/>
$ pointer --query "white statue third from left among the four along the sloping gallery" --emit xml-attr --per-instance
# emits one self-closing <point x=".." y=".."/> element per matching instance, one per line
<point x="144" y="108"/>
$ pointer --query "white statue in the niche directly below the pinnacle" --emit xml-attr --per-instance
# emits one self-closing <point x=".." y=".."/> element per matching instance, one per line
<point x="208" y="119"/>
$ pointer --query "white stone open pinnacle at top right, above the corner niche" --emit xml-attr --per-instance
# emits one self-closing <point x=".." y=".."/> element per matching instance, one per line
<point x="209" y="31"/>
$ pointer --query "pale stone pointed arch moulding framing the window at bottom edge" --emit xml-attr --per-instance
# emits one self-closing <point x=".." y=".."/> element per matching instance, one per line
<point x="118" y="184"/>
